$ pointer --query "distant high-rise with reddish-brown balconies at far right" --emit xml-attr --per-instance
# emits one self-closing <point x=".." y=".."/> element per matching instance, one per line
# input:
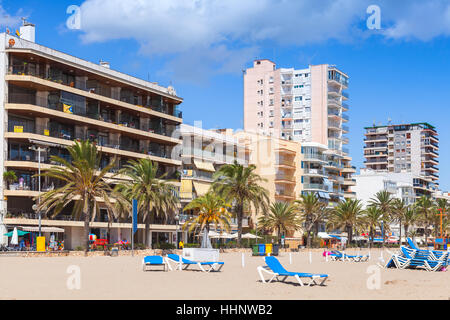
<point x="411" y="149"/>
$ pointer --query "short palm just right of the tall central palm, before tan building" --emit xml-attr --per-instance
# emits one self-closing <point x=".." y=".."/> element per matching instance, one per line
<point x="281" y="217"/>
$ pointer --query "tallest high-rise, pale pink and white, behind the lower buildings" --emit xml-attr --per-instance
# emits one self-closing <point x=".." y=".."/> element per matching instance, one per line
<point x="306" y="105"/>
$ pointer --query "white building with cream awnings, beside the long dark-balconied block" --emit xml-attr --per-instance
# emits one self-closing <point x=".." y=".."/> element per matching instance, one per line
<point x="203" y="153"/>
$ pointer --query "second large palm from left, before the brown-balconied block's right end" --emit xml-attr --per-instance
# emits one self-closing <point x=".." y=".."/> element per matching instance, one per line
<point x="155" y="196"/>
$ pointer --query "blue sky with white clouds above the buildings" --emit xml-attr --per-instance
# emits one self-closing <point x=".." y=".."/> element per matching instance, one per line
<point x="400" y="72"/>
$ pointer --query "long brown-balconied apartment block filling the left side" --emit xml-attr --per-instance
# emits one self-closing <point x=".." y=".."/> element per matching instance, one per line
<point x="50" y="99"/>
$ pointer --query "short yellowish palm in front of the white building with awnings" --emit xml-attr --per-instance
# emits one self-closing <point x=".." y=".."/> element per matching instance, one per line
<point x="209" y="209"/>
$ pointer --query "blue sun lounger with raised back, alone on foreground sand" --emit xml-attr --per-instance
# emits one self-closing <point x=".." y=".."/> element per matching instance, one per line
<point x="276" y="270"/>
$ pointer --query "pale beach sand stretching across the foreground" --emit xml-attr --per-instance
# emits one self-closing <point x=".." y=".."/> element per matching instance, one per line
<point x="123" y="278"/>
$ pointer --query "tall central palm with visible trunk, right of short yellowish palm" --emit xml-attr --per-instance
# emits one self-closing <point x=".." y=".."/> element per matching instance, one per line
<point x="240" y="186"/>
